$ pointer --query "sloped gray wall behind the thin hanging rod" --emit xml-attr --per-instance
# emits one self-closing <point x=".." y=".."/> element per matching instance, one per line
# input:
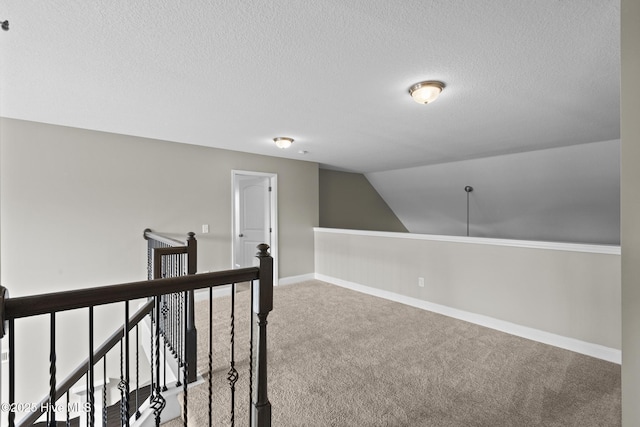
<point x="569" y="194"/>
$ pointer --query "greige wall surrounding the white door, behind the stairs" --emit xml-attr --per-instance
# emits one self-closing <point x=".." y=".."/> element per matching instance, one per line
<point x="90" y="195"/>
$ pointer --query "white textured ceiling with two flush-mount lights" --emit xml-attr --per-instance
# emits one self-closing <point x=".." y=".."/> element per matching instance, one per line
<point x="332" y="74"/>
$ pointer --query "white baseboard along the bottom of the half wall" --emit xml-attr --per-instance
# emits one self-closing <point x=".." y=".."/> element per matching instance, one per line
<point x="582" y="347"/>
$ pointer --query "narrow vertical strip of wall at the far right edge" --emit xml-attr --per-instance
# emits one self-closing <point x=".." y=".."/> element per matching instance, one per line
<point x="630" y="135"/>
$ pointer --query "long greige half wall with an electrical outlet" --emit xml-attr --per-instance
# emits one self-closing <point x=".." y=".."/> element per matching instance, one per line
<point x="562" y="294"/>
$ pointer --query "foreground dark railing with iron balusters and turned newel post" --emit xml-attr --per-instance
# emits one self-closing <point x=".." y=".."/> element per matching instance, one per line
<point x="12" y="309"/>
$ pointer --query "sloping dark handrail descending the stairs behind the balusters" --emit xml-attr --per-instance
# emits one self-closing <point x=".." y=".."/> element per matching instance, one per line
<point x="82" y="368"/>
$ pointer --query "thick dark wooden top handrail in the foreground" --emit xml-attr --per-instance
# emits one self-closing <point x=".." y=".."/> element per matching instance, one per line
<point x="15" y="308"/>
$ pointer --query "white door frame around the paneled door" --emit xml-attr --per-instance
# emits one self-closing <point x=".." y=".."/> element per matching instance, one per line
<point x="273" y="215"/>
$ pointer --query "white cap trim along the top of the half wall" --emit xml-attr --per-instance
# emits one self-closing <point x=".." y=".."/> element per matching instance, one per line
<point x="531" y="244"/>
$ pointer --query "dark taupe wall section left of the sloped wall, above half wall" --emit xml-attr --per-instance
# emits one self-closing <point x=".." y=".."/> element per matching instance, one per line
<point x="347" y="200"/>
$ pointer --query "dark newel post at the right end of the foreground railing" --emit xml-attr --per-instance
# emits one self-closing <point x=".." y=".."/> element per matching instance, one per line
<point x="262" y="305"/>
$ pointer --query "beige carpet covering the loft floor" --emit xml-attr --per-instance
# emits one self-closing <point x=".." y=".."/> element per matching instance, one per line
<point x="341" y="358"/>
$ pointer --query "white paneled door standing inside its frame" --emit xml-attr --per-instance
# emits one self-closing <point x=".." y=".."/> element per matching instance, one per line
<point x="252" y="217"/>
